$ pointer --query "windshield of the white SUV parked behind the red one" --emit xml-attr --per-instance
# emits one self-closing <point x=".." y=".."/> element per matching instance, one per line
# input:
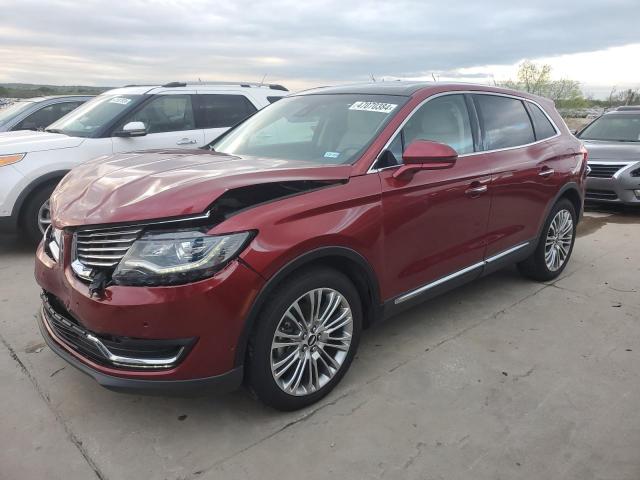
<point x="93" y="115"/>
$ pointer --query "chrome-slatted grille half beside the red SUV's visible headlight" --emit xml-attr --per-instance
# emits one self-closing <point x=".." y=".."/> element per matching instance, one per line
<point x="104" y="248"/>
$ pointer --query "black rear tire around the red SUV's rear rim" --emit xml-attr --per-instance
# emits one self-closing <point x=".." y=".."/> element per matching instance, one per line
<point x="535" y="267"/>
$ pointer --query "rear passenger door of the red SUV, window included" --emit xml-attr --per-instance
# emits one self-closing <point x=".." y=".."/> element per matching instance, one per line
<point x="522" y="168"/>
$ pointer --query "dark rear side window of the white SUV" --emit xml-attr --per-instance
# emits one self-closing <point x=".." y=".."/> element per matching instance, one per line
<point x="217" y="111"/>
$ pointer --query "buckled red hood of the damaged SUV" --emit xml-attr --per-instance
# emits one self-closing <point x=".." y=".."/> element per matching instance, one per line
<point x="167" y="183"/>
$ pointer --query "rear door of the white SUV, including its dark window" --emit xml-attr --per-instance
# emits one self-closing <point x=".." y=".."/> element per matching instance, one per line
<point x="217" y="112"/>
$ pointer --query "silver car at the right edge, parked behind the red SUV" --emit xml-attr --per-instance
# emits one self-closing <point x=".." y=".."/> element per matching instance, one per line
<point x="613" y="142"/>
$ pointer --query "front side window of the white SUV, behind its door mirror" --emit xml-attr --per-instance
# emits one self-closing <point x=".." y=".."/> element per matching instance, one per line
<point x="165" y="113"/>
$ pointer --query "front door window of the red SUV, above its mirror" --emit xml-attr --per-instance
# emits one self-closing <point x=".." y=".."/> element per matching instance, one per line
<point x="443" y="119"/>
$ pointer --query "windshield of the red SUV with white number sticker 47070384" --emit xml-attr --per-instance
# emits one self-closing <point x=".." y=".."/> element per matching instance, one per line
<point x="331" y="129"/>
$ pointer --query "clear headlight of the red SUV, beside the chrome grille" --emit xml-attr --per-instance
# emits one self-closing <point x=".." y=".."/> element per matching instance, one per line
<point x="177" y="257"/>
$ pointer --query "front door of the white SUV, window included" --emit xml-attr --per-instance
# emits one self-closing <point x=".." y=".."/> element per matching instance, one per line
<point x="169" y="119"/>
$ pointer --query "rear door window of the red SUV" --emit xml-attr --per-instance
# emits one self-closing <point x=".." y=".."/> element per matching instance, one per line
<point x="505" y="122"/>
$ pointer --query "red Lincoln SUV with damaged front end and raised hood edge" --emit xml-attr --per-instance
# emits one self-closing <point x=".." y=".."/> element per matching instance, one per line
<point x="262" y="257"/>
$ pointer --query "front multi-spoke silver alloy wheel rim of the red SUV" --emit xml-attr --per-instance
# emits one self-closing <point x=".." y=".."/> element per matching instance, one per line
<point x="311" y="342"/>
